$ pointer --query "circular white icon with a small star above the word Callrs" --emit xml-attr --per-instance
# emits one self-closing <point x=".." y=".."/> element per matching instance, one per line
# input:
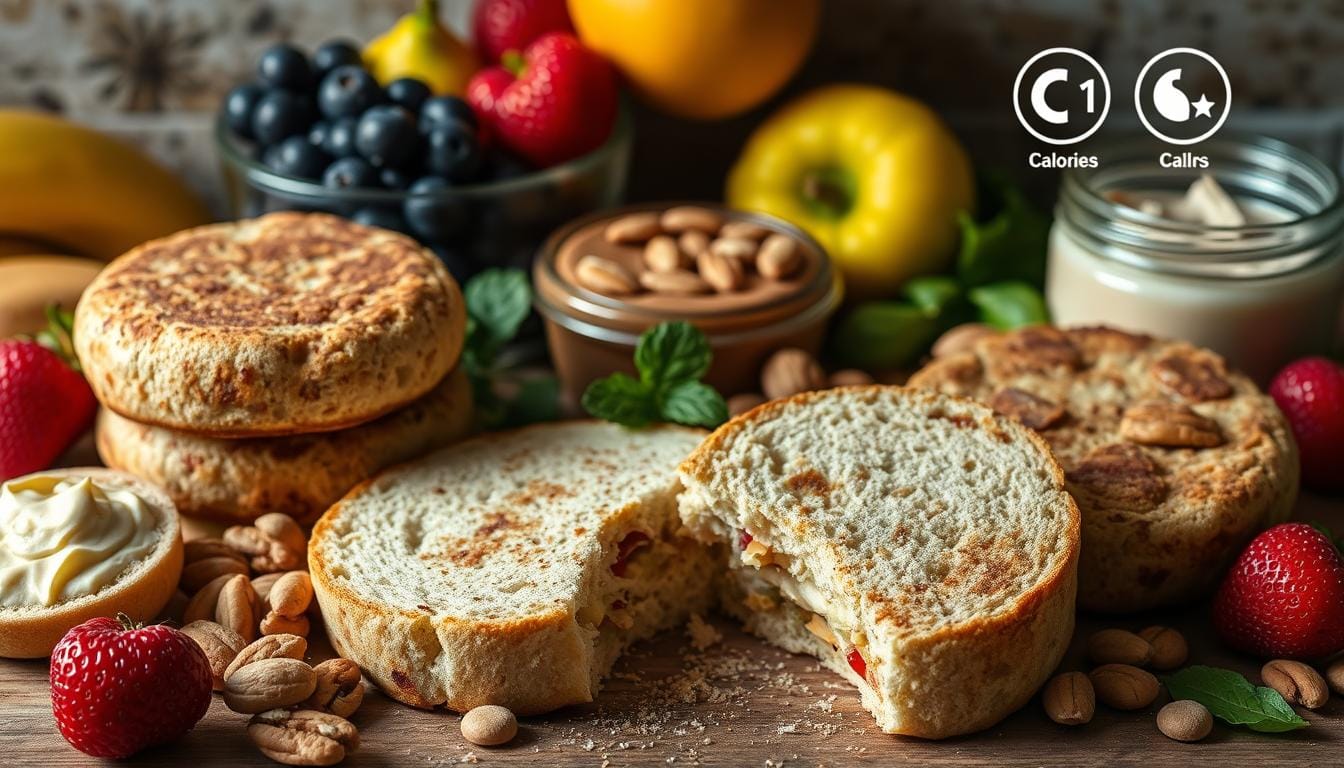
<point x="1174" y="104"/>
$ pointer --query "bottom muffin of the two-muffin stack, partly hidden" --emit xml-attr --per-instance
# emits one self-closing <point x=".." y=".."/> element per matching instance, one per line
<point x="302" y="475"/>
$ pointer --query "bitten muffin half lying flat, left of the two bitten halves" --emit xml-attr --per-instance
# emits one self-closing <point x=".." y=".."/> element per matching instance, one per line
<point x="514" y="568"/>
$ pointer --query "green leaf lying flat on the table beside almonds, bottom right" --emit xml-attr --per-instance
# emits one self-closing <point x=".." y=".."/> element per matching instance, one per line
<point x="1234" y="700"/>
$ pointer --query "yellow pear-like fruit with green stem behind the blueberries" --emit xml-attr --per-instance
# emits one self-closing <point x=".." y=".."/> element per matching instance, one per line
<point x="420" y="46"/>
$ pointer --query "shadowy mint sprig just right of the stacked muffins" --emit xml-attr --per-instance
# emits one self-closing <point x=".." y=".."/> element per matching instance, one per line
<point x="498" y="302"/>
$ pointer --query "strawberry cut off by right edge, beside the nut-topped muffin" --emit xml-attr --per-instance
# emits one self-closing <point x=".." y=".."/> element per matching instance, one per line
<point x="1311" y="395"/>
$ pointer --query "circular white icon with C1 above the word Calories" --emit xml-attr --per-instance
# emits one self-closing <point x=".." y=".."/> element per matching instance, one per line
<point x="1083" y="118"/>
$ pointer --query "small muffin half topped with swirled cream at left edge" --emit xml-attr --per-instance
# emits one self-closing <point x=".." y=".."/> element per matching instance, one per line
<point x="80" y="544"/>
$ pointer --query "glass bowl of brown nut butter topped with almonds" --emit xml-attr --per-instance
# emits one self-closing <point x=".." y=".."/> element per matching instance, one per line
<point x="751" y="283"/>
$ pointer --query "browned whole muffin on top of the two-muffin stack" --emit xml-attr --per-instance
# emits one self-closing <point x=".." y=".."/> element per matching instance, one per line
<point x="282" y="325"/>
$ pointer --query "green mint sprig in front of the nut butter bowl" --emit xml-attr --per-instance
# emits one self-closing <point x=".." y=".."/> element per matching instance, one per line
<point x="671" y="360"/>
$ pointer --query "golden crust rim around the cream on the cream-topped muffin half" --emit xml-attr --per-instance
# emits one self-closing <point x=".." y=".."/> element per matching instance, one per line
<point x="32" y="634"/>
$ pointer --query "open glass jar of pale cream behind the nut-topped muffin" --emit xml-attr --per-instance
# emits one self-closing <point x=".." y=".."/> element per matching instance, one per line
<point x="1257" y="275"/>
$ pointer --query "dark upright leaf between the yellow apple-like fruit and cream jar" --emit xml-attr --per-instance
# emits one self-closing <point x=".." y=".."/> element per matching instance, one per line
<point x="1009" y="244"/>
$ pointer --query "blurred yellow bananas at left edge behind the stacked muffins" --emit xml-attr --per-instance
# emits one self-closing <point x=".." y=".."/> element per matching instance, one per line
<point x="72" y="200"/>
